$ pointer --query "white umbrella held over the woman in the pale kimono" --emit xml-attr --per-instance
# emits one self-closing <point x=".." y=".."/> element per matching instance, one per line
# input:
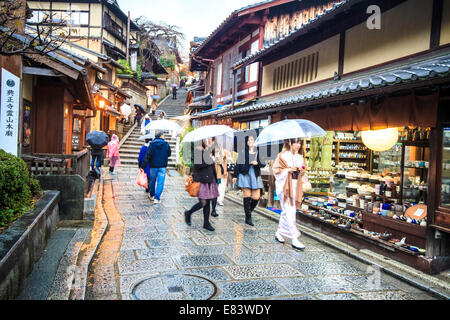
<point x="289" y="129"/>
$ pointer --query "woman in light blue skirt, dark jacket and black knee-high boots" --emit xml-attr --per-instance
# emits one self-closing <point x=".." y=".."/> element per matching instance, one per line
<point x="247" y="176"/>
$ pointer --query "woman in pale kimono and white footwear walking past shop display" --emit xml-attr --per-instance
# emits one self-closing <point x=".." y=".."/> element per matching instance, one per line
<point x="289" y="170"/>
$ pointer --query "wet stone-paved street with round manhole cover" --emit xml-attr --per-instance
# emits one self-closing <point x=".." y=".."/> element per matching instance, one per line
<point x="152" y="254"/>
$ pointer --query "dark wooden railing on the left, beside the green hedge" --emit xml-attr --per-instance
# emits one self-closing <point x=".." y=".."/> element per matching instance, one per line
<point x="58" y="164"/>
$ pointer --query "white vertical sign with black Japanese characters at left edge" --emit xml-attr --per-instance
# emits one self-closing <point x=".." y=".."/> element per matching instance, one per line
<point x="9" y="116"/>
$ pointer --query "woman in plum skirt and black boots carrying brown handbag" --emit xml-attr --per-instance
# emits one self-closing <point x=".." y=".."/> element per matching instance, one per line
<point x="205" y="173"/>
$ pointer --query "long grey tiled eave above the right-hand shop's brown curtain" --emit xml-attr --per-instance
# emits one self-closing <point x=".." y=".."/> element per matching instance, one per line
<point x="407" y="73"/>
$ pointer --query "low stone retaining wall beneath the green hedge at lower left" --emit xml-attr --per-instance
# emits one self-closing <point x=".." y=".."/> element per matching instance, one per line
<point x="22" y="244"/>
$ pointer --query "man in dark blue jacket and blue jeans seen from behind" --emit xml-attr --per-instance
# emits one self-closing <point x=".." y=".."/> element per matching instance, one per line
<point x="157" y="157"/>
